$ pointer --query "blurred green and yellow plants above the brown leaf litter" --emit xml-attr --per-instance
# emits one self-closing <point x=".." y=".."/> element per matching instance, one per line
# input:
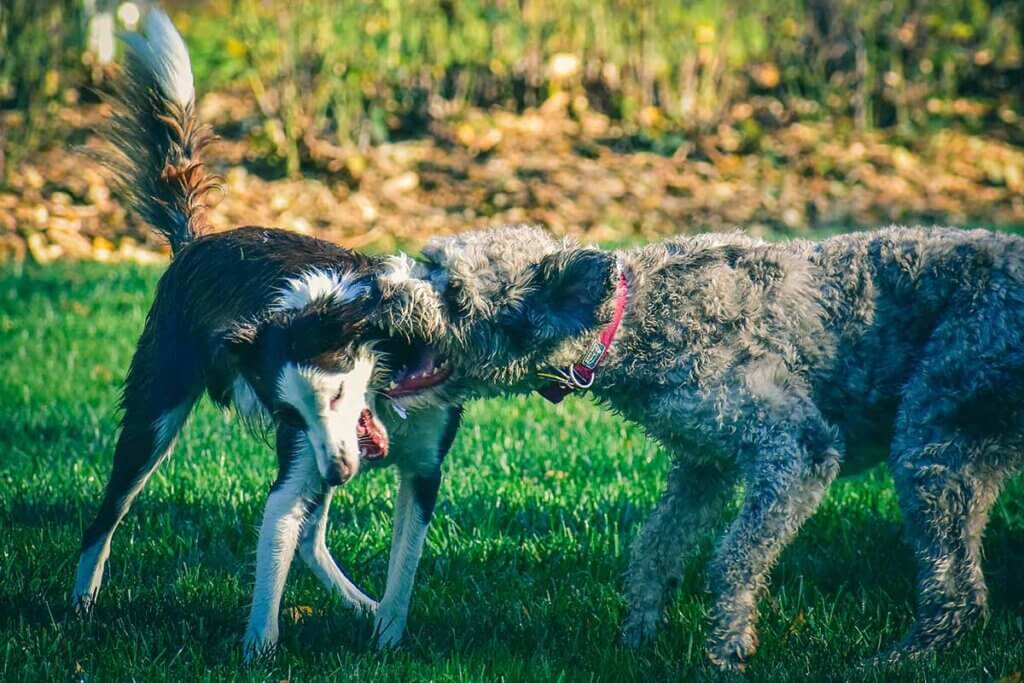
<point x="371" y="72"/>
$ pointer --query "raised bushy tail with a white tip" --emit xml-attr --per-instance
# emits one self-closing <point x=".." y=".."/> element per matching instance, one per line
<point x="155" y="136"/>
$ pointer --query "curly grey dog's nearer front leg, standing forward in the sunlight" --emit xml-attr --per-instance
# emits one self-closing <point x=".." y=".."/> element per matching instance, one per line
<point x="785" y="486"/>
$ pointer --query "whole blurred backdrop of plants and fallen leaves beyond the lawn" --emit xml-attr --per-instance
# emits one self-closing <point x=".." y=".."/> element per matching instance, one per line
<point x="605" y="119"/>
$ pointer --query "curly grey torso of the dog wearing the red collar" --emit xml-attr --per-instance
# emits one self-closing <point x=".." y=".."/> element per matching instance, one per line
<point x="854" y="316"/>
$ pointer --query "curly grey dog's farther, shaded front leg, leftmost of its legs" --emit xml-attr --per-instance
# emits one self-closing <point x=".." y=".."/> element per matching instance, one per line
<point x="692" y="504"/>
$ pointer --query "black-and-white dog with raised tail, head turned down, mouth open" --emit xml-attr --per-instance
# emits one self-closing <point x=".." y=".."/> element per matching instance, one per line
<point x="272" y="323"/>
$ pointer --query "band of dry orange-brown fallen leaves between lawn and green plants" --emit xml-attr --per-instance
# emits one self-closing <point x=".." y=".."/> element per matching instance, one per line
<point x="572" y="173"/>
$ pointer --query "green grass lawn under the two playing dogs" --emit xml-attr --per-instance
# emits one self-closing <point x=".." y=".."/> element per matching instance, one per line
<point x="523" y="574"/>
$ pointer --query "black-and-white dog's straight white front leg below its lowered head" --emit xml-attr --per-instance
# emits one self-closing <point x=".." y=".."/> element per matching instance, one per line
<point x="297" y="491"/>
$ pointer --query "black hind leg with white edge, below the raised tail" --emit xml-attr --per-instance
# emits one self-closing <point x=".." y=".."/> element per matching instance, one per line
<point x="156" y="406"/>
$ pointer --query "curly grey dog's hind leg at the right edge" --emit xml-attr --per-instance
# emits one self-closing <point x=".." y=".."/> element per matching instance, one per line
<point x="958" y="439"/>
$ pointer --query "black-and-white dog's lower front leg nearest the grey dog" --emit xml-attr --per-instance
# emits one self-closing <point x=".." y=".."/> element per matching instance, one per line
<point x="417" y="495"/>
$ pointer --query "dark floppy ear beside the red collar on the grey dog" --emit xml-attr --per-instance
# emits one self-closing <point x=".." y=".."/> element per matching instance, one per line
<point x="568" y="289"/>
